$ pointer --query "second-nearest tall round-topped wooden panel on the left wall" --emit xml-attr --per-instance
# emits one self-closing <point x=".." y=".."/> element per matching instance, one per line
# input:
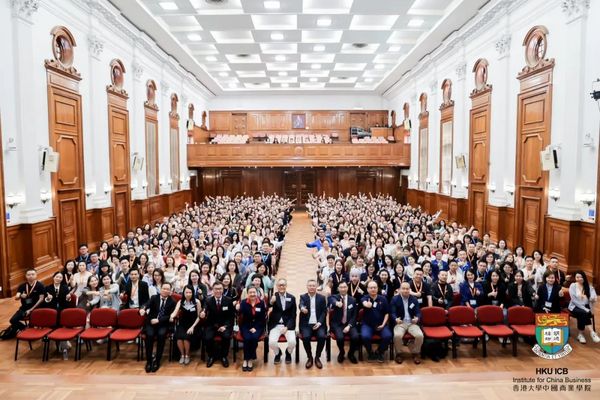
<point x="118" y="133"/>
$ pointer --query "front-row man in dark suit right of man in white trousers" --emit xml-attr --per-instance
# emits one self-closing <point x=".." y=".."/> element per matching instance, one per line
<point x="313" y="311"/>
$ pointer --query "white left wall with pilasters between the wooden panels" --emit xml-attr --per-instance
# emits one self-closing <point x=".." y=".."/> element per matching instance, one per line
<point x="101" y="35"/>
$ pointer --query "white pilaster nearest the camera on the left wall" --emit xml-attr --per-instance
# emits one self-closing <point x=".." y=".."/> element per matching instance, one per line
<point x="31" y="133"/>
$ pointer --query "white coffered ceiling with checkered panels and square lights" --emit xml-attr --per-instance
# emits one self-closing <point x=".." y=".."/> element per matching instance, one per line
<point x="311" y="45"/>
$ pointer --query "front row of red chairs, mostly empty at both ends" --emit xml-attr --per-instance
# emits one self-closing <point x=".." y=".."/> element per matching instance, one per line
<point x="106" y="324"/>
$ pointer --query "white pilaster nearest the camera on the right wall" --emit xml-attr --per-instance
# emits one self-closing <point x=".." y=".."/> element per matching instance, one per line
<point x="568" y="129"/>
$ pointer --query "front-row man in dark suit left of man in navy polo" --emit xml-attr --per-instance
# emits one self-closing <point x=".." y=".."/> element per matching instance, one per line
<point x="342" y="321"/>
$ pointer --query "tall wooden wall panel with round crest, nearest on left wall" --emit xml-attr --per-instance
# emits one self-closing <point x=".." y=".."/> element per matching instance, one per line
<point x="66" y="137"/>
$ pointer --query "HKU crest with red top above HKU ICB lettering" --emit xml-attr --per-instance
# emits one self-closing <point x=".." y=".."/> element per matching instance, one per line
<point x="552" y="334"/>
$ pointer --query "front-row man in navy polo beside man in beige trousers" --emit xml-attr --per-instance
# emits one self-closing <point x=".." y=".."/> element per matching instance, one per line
<point x="375" y="321"/>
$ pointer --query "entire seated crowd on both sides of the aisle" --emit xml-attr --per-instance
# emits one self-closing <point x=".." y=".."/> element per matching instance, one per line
<point x="210" y="272"/>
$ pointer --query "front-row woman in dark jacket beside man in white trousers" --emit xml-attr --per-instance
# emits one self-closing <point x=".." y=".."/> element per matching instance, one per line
<point x="253" y="313"/>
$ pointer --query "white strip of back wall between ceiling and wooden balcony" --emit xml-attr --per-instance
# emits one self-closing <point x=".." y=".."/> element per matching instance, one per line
<point x="298" y="102"/>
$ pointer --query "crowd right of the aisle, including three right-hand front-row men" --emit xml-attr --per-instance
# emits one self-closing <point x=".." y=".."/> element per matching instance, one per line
<point x="394" y="260"/>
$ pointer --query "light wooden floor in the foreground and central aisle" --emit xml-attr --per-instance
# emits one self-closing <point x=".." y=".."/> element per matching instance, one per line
<point x="469" y="375"/>
